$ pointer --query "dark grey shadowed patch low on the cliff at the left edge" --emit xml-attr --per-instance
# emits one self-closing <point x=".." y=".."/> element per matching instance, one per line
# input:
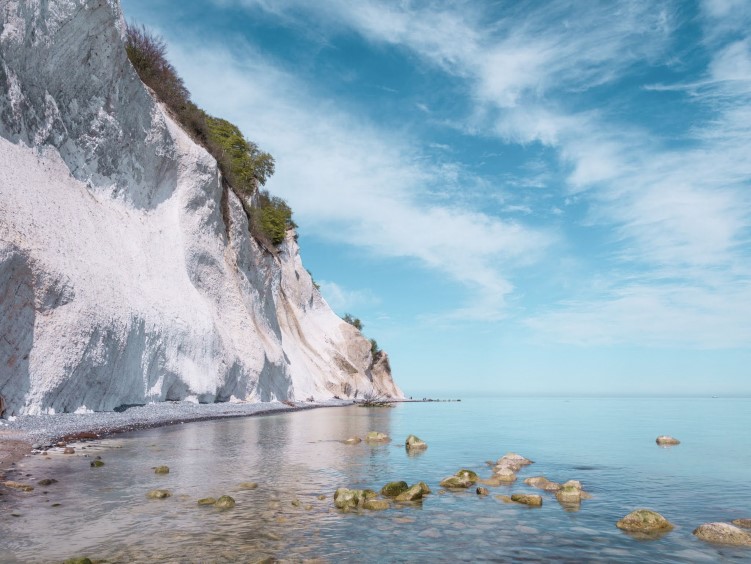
<point x="17" y="316"/>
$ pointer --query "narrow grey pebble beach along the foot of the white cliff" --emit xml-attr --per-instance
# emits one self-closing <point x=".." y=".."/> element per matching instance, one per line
<point x="29" y="433"/>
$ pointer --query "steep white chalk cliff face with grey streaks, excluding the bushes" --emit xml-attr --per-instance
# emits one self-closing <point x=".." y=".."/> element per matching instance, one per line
<point x="127" y="273"/>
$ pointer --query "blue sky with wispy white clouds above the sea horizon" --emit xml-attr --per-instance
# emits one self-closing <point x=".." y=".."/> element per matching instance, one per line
<point x="516" y="198"/>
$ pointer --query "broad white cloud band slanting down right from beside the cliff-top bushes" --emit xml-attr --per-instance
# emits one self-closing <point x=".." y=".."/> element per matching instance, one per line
<point x="353" y="183"/>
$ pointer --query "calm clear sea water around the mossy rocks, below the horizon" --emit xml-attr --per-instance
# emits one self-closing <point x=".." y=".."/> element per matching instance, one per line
<point x="608" y="444"/>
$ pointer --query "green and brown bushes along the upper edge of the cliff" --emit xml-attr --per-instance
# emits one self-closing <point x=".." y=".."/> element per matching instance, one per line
<point x="243" y="165"/>
